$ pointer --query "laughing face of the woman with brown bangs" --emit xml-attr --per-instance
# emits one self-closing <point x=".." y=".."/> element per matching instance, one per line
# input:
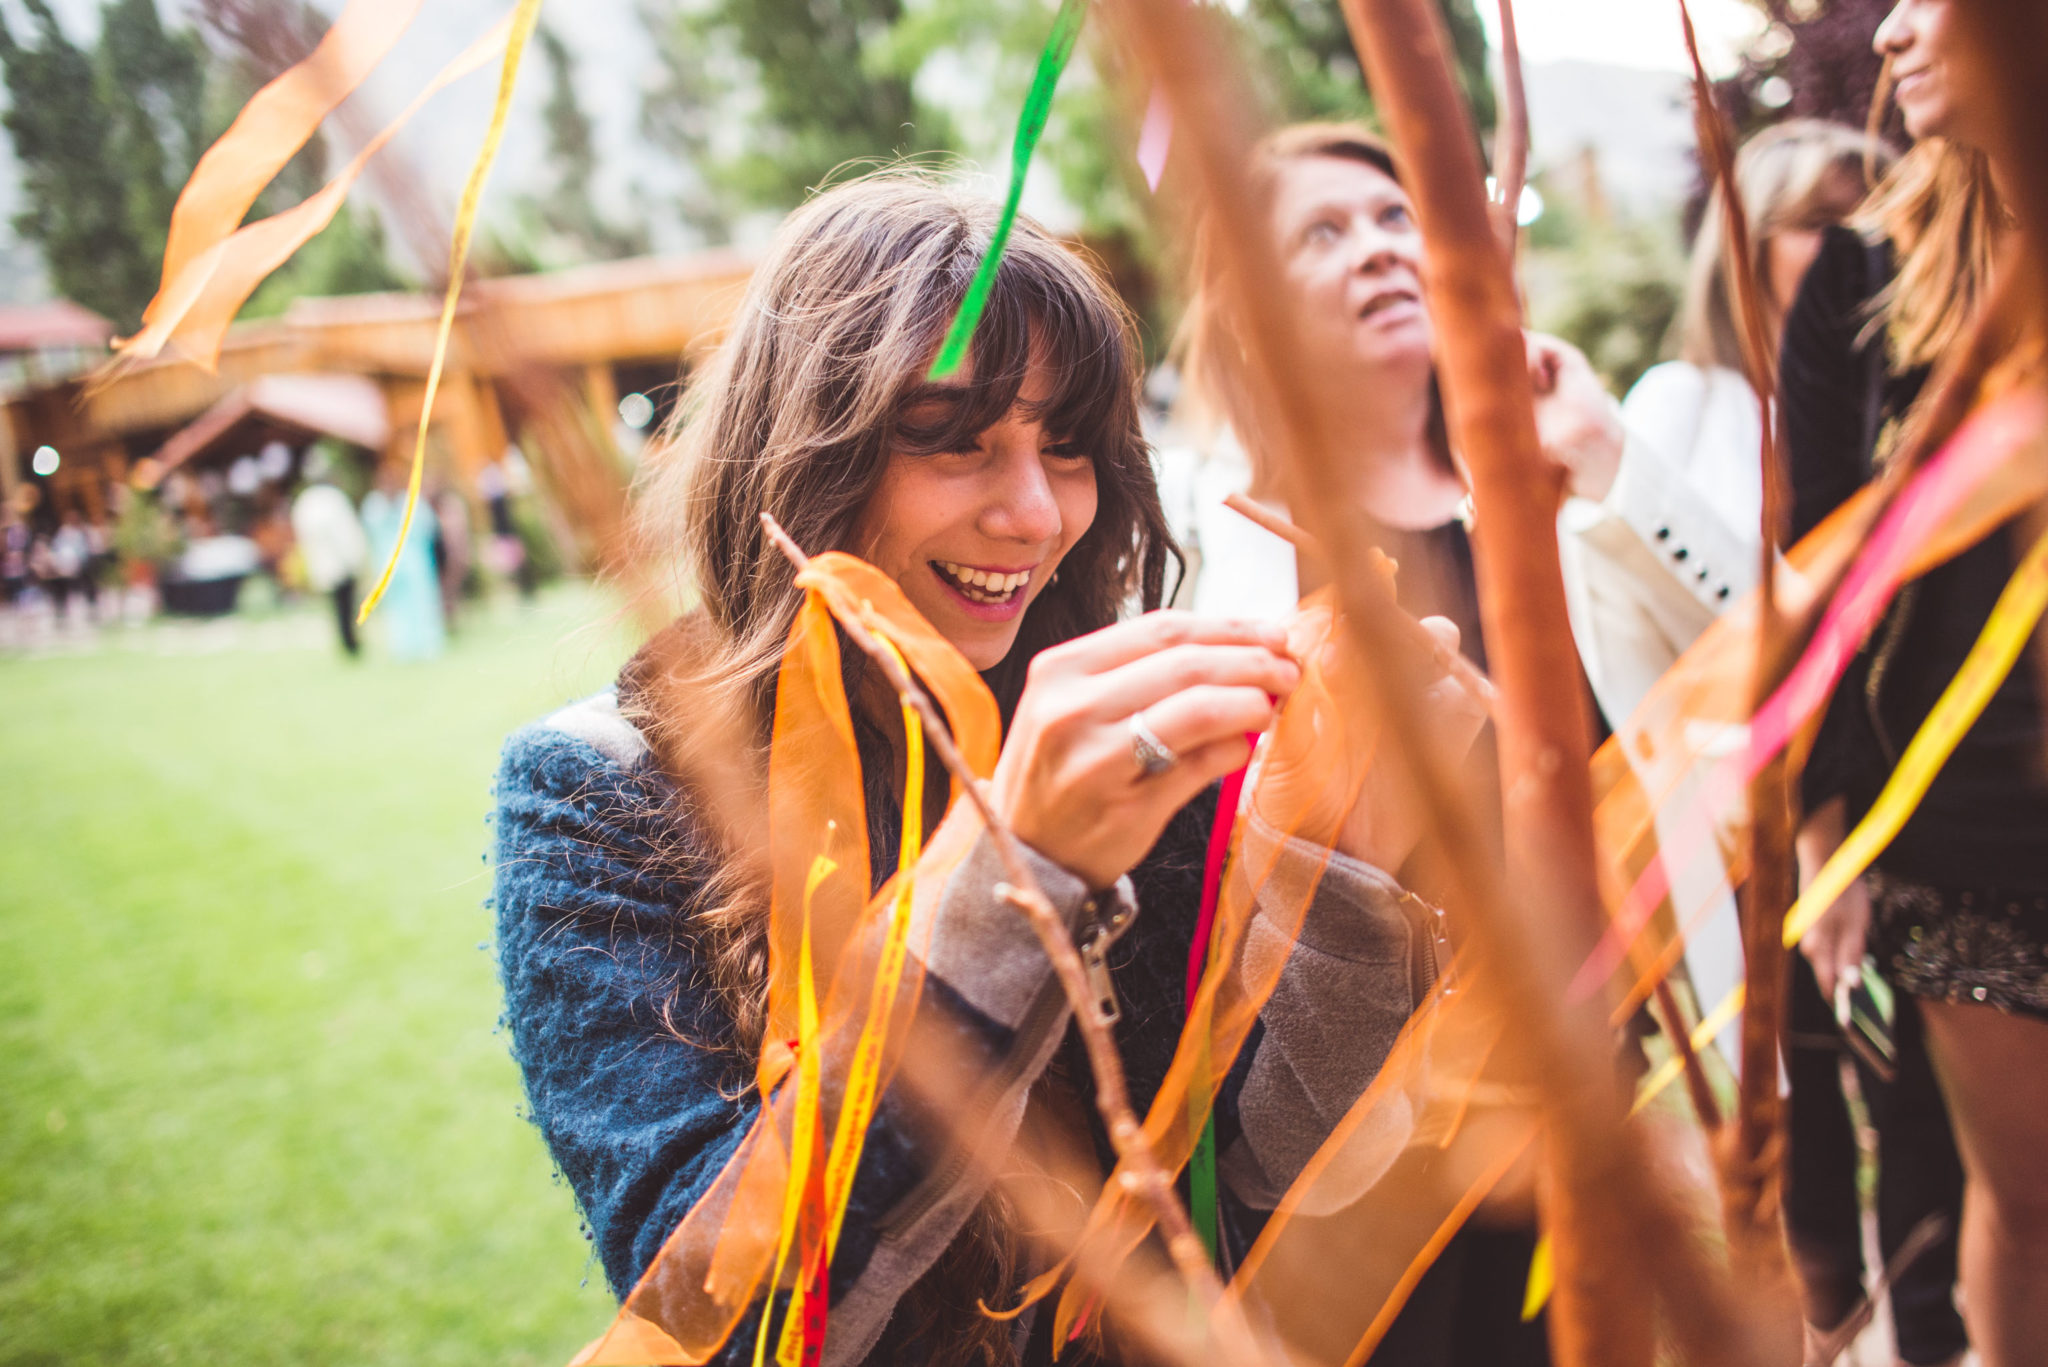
<point x="974" y="536"/>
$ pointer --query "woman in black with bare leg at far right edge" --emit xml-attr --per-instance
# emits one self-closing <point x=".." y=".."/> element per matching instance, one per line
<point x="1955" y="911"/>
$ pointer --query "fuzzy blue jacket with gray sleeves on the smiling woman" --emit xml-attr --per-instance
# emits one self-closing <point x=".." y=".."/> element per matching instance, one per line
<point x="620" y="1036"/>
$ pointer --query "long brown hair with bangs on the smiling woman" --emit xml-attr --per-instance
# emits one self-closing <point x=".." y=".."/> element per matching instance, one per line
<point x="800" y="415"/>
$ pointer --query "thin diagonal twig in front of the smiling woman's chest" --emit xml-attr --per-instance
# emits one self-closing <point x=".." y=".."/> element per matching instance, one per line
<point x="1146" y="1177"/>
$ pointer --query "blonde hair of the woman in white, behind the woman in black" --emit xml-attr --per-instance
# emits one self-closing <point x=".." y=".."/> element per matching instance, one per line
<point x="1797" y="175"/>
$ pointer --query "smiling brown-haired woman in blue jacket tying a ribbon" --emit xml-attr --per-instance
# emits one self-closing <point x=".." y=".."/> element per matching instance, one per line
<point x="1017" y="511"/>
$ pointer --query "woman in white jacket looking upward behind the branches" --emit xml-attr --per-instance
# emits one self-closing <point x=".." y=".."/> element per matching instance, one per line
<point x="1351" y="255"/>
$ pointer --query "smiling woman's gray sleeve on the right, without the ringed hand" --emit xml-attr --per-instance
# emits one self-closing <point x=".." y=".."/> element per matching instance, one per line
<point x="1349" y="987"/>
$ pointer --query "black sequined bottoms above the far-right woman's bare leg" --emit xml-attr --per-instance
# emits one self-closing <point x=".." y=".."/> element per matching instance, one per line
<point x="1963" y="946"/>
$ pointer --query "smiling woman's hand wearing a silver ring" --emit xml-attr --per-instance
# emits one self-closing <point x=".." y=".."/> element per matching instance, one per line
<point x="1070" y="780"/>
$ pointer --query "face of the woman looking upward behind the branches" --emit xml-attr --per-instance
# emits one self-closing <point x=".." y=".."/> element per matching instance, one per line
<point x="1353" y="257"/>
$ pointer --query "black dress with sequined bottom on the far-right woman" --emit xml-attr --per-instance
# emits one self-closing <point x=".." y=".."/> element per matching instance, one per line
<point x="1961" y="897"/>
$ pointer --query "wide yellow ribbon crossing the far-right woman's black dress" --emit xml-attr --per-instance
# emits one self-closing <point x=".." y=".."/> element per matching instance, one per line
<point x="1963" y="702"/>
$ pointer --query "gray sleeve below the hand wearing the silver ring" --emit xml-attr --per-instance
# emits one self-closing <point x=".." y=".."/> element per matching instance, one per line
<point x="990" y="956"/>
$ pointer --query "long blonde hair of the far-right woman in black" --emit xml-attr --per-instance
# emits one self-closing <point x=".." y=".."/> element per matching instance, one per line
<point x="1943" y="216"/>
